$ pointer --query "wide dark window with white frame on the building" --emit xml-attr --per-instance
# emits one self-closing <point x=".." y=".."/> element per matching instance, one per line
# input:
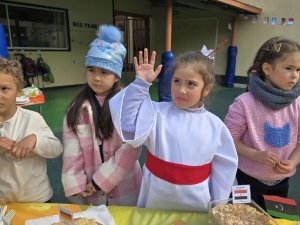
<point x="33" y="27"/>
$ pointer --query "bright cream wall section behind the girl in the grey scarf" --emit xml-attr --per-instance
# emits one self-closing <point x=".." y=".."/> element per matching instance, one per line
<point x="251" y="36"/>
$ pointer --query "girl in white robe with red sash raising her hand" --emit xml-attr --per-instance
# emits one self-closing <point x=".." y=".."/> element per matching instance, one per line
<point x="191" y="156"/>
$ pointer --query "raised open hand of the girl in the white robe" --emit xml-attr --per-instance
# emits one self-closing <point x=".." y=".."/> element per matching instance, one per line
<point x="144" y="69"/>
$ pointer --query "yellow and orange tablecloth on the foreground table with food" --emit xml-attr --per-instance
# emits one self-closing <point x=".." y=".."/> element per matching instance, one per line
<point x="123" y="215"/>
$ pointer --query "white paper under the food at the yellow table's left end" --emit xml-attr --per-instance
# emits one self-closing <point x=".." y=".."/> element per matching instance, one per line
<point x="100" y="213"/>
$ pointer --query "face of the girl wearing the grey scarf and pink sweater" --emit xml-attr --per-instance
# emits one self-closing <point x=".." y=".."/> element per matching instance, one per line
<point x="284" y="74"/>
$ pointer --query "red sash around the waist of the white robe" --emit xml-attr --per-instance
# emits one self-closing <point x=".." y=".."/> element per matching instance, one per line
<point x="177" y="173"/>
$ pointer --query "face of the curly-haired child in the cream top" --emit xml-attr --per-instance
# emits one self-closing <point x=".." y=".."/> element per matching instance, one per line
<point x="8" y="94"/>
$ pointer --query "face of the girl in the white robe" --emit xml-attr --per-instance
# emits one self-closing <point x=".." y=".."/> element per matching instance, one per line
<point x="187" y="88"/>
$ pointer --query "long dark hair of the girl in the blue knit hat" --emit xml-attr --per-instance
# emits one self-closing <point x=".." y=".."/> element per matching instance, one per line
<point x="102" y="121"/>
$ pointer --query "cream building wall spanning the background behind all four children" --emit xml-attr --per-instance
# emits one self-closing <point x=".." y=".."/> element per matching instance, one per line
<point x="191" y="29"/>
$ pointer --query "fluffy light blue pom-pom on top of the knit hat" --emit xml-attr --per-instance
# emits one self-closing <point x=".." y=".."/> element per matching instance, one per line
<point x="109" y="33"/>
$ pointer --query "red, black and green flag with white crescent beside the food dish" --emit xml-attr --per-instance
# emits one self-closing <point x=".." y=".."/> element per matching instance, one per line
<point x="281" y="207"/>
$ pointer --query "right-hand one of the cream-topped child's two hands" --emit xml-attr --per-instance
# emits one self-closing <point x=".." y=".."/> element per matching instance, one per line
<point x="22" y="148"/>
